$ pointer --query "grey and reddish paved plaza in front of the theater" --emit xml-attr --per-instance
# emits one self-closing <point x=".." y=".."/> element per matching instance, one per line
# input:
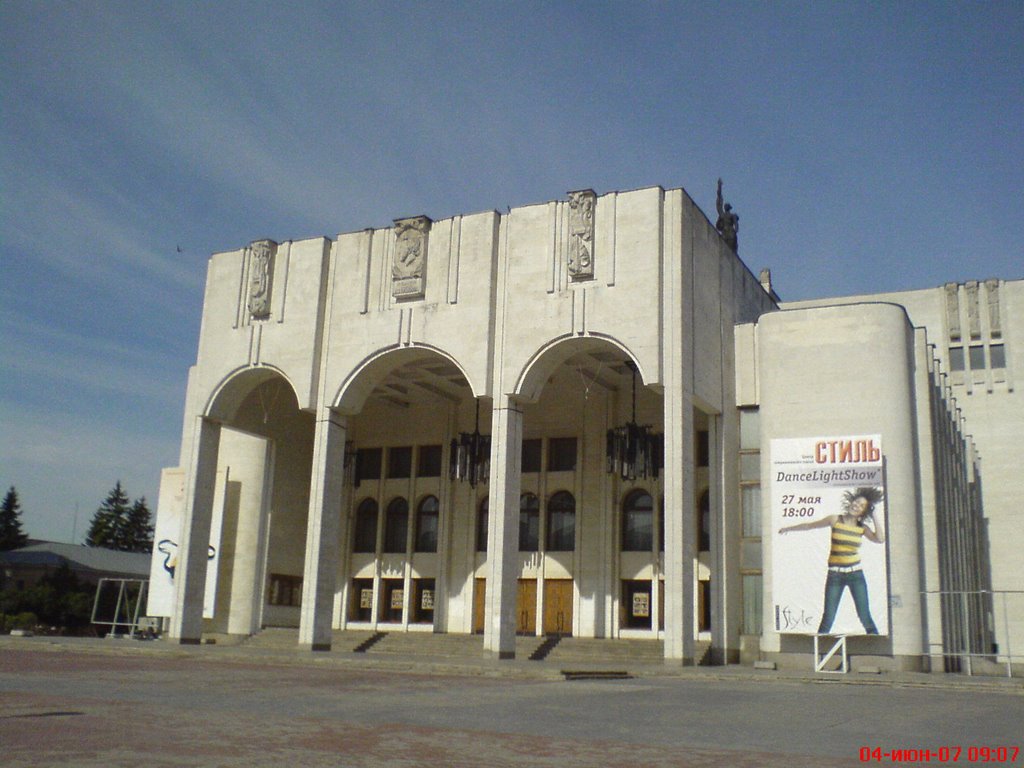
<point x="131" y="704"/>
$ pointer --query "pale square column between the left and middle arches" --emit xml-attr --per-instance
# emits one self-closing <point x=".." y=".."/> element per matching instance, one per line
<point x="323" y="532"/>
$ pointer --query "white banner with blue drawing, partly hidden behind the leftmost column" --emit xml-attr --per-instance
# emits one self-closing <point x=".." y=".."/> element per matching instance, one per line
<point x="165" y="543"/>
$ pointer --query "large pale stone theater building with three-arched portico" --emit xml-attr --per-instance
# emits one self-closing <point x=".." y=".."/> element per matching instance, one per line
<point x="560" y="420"/>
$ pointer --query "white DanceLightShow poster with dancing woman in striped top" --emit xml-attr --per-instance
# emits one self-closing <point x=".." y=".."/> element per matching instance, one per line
<point x="828" y="535"/>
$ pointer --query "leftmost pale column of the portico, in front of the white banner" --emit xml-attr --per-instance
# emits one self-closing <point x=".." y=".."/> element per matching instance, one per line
<point x="194" y="542"/>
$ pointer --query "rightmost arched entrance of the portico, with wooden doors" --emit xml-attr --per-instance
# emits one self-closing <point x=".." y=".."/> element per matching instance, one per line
<point x="592" y="437"/>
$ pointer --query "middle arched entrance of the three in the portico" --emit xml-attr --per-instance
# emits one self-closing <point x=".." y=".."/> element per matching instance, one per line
<point x="416" y="461"/>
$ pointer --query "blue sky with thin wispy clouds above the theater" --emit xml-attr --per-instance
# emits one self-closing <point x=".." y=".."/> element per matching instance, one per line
<point x="867" y="147"/>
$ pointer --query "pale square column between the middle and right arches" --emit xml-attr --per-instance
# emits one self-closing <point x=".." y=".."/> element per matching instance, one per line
<point x="503" y="529"/>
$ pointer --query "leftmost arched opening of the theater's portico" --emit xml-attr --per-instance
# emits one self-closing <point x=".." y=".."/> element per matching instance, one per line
<point x="246" y="507"/>
